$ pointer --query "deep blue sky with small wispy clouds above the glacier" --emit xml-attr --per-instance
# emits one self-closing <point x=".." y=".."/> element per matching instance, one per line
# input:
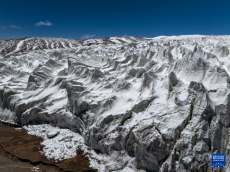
<point x="105" y="18"/>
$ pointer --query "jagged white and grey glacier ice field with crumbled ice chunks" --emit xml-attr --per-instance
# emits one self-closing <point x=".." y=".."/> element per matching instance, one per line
<point x="132" y="104"/>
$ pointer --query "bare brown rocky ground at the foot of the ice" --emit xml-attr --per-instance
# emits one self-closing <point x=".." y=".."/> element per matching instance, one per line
<point x="20" y="152"/>
